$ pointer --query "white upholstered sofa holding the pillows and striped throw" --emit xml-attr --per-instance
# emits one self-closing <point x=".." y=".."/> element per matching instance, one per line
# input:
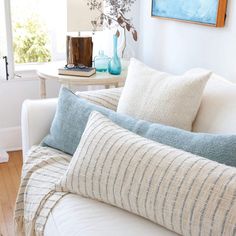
<point x="75" y="215"/>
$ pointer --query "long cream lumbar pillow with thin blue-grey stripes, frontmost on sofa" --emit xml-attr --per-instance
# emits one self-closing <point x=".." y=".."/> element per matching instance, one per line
<point x="183" y="192"/>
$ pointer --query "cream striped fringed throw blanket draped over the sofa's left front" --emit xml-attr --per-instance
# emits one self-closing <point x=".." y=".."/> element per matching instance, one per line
<point x="36" y="196"/>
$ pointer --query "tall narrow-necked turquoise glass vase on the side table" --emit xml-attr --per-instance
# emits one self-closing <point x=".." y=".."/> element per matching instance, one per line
<point x="114" y="66"/>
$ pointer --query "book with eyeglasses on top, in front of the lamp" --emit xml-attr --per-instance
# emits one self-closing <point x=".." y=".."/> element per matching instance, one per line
<point x="82" y="71"/>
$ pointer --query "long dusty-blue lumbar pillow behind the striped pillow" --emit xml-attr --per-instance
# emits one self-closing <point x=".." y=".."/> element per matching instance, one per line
<point x="73" y="112"/>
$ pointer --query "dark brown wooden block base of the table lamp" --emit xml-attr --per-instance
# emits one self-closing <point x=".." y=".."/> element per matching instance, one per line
<point x="79" y="50"/>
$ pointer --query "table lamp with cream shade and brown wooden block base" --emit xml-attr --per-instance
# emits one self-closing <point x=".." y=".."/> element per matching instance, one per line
<point x="80" y="19"/>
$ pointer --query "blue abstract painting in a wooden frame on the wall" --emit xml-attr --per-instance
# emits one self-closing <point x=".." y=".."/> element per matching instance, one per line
<point x="208" y="12"/>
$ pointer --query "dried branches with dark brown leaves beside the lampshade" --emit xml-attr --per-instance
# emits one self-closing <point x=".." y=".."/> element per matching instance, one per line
<point x="114" y="15"/>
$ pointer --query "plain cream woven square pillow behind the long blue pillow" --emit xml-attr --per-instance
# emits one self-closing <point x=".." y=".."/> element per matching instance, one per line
<point x="162" y="98"/>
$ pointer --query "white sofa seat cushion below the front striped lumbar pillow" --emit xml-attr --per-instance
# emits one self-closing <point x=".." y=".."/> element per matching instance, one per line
<point x="75" y="215"/>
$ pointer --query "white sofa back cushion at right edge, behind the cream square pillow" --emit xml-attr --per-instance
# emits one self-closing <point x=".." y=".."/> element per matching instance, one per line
<point x="217" y="113"/>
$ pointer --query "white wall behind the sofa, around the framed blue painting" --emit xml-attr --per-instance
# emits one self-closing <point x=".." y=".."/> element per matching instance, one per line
<point x="175" y="46"/>
